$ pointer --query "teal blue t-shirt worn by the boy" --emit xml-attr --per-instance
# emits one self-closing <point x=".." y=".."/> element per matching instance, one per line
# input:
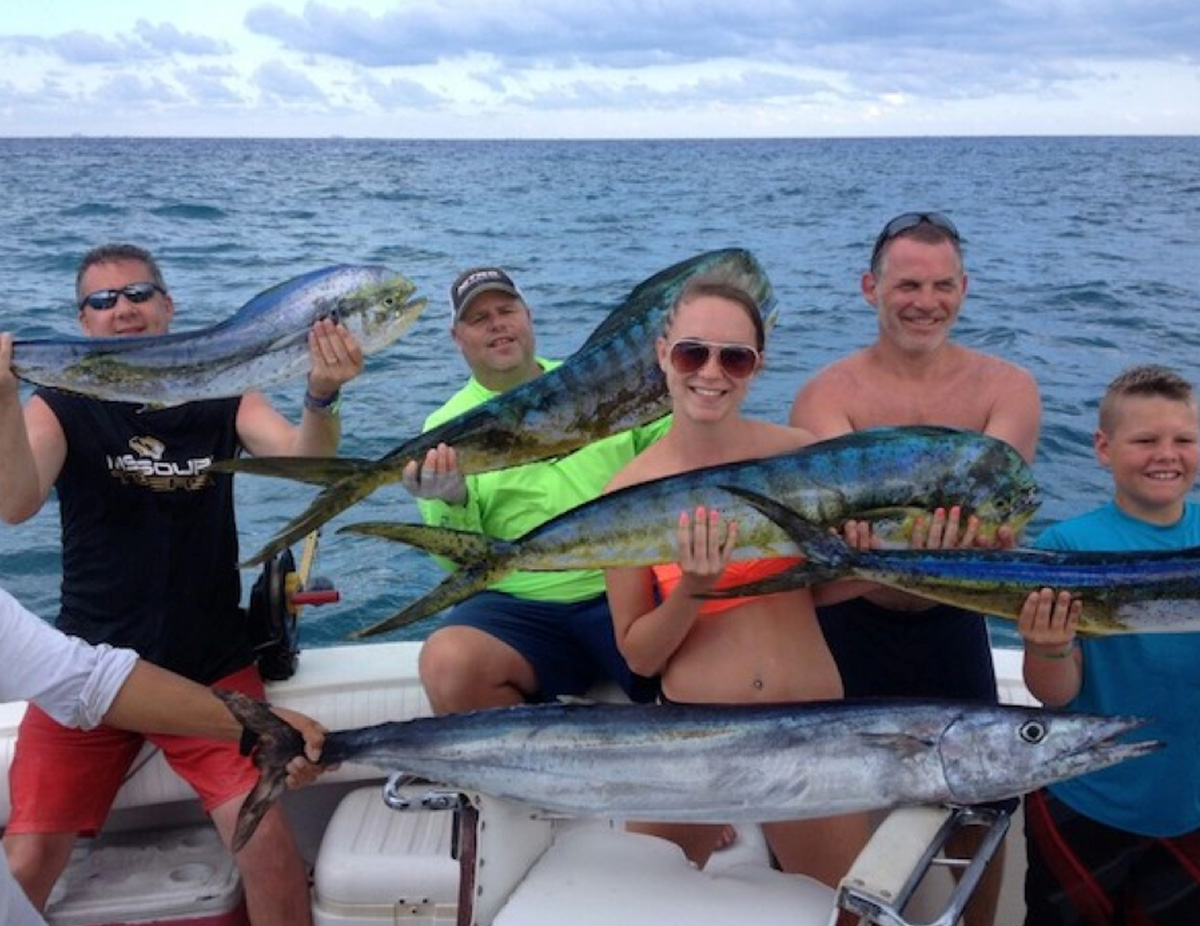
<point x="1155" y="676"/>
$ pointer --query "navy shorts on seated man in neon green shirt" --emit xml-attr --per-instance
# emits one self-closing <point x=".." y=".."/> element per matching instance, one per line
<point x="571" y="647"/>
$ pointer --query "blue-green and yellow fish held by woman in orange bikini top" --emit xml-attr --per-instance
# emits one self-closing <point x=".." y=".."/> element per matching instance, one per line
<point x="889" y="473"/>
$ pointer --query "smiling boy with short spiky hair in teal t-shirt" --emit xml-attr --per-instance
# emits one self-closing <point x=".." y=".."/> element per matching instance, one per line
<point x="1123" y="845"/>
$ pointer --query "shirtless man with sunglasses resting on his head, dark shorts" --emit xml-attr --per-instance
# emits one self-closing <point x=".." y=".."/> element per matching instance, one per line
<point x="915" y="375"/>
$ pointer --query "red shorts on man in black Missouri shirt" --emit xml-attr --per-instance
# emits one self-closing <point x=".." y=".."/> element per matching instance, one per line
<point x="65" y="780"/>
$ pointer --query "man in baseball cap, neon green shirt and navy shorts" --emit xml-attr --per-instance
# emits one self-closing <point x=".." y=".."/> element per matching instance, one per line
<point x="532" y="636"/>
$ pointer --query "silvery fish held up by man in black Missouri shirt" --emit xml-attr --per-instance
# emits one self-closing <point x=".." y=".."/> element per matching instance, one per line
<point x="265" y="344"/>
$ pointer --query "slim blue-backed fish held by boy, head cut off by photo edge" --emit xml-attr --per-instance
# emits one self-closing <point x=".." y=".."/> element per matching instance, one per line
<point x="1123" y="593"/>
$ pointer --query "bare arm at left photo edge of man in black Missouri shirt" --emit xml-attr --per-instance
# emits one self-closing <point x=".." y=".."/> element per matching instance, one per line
<point x="33" y="447"/>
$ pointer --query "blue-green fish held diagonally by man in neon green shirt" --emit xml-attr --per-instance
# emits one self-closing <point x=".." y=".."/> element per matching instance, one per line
<point x="610" y="384"/>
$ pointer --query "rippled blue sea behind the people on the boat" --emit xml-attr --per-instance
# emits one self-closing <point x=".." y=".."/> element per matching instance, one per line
<point x="1083" y="255"/>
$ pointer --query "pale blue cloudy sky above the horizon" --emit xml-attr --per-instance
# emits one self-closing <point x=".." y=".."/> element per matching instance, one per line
<point x="599" y="69"/>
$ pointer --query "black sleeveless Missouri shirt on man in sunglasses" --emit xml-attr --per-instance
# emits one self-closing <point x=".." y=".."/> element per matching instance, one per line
<point x="149" y="539"/>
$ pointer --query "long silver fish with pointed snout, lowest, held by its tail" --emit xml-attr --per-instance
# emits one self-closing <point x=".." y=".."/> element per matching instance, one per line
<point x="715" y="763"/>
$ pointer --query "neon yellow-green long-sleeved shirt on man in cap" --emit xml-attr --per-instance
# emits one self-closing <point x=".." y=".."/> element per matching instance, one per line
<point x="512" y="502"/>
